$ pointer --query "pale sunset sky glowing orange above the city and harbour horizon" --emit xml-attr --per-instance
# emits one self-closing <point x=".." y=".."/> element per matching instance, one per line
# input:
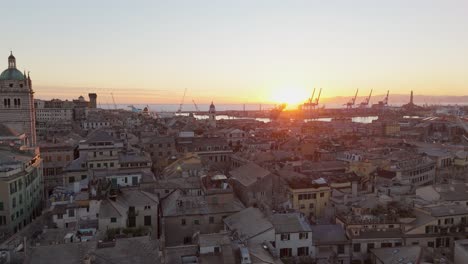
<point x="242" y="51"/>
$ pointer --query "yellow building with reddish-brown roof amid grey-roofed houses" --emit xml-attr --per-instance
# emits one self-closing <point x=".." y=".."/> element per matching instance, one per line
<point x="309" y="197"/>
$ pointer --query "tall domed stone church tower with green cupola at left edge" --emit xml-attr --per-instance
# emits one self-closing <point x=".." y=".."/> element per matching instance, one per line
<point x="17" y="102"/>
